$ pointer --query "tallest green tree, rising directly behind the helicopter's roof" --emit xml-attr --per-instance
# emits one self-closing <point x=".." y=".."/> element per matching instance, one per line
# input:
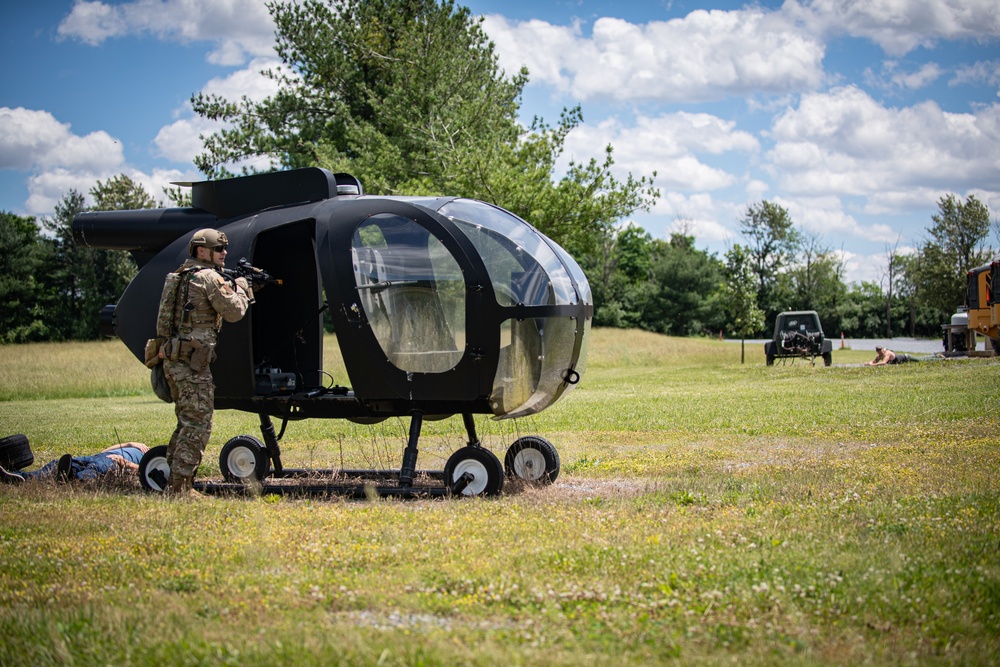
<point x="407" y="95"/>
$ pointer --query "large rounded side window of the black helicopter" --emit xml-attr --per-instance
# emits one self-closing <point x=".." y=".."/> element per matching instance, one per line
<point x="413" y="294"/>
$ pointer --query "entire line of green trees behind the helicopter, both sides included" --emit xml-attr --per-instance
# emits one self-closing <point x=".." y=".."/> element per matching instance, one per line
<point x="408" y="96"/>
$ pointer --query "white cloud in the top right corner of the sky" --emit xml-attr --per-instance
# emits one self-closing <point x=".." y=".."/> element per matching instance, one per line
<point x="898" y="26"/>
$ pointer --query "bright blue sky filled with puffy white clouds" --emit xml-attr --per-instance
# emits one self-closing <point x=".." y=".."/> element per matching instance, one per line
<point x="856" y="116"/>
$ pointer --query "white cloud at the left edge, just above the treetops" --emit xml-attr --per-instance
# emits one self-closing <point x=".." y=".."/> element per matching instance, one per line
<point x="31" y="139"/>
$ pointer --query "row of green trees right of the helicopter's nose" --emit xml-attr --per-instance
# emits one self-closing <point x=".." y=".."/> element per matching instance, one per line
<point x="672" y="287"/>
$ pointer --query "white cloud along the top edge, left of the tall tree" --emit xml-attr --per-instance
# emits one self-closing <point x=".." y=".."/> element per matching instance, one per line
<point x="238" y="28"/>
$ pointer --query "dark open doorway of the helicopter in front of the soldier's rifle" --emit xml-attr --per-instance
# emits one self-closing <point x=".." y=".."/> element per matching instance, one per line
<point x="287" y="318"/>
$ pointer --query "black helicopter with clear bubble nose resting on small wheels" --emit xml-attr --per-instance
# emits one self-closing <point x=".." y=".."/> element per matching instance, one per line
<point x="442" y="306"/>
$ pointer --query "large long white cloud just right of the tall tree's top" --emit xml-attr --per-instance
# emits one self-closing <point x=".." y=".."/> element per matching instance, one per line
<point x="704" y="56"/>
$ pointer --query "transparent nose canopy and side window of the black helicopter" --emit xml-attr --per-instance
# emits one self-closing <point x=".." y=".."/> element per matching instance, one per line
<point x="415" y="298"/>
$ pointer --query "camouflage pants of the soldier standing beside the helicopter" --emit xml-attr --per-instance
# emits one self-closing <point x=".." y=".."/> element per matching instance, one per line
<point x="194" y="405"/>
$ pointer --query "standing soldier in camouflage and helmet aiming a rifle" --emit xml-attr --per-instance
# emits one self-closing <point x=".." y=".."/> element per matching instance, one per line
<point x="196" y="298"/>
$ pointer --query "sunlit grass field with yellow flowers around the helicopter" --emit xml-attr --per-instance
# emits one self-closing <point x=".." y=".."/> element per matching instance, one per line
<point x="707" y="512"/>
